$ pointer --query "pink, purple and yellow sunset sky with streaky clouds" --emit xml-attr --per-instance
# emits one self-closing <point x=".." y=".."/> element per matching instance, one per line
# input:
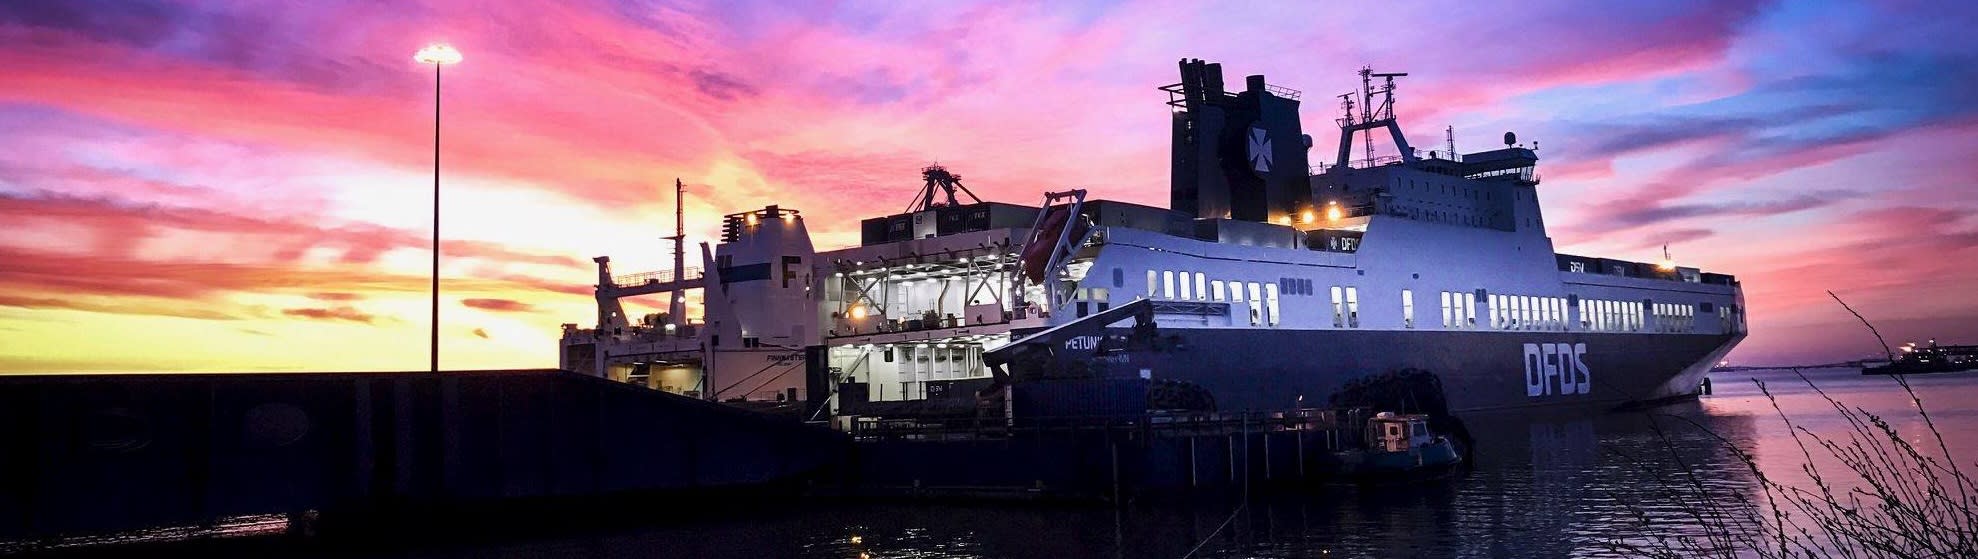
<point x="244" y="187"/>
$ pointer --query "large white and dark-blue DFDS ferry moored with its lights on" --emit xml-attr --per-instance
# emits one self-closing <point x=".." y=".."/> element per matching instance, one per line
<point x="1273" y="281"/>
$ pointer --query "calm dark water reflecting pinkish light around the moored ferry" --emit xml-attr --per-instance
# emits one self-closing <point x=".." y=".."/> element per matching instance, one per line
<point x="1544" y="487"/>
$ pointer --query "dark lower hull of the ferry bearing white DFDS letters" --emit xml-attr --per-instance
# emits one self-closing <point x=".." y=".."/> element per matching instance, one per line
<point x="1479" y="370"/>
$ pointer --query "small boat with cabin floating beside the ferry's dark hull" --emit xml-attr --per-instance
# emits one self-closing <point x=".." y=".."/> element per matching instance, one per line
<point x="1399" y="447"/>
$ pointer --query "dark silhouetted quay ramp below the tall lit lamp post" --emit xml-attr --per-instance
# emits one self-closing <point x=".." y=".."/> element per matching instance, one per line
<point x="102" y="453"/>
